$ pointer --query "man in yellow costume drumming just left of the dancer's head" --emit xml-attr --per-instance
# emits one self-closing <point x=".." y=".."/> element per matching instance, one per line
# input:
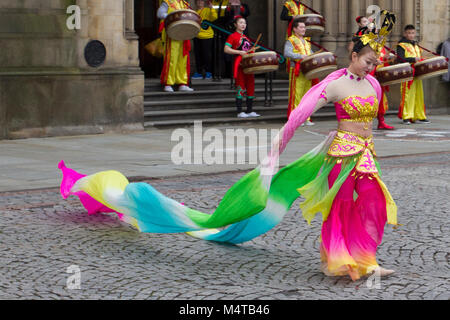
<point x="297" y="48"/>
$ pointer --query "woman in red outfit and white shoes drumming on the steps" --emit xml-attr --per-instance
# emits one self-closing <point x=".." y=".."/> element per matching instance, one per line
<point x="238" y="44"/>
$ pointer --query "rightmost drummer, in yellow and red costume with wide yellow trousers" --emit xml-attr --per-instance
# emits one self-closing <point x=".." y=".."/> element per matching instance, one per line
<point x="412" y="105"/>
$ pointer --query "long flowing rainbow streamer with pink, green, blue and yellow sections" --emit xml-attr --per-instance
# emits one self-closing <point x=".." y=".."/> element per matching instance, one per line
<point x="251" y="207"/>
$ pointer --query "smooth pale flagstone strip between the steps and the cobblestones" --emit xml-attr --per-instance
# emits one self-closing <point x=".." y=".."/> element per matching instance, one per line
<point x="32" y="163"/>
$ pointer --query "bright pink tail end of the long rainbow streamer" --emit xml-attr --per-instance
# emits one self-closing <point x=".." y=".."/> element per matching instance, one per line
<point x="70" y="177"/>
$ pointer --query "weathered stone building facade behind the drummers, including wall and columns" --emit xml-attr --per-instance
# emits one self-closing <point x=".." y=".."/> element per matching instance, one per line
<point x="47" y="86"/>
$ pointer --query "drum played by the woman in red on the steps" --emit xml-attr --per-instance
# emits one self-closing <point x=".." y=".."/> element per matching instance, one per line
<point x="260" y="62"/>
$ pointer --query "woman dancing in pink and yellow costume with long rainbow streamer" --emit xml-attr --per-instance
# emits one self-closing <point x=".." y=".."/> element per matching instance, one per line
<point x="328" y="177"/>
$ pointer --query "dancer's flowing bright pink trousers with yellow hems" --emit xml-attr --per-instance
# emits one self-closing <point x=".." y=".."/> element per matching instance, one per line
<point x="354" y="229"/>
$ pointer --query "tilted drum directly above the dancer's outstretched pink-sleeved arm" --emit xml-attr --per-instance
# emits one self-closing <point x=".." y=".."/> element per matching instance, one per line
<point x="318" y="65"/>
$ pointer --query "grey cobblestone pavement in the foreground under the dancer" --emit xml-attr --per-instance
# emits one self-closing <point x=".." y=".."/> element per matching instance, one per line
<point x="42" y="235"/>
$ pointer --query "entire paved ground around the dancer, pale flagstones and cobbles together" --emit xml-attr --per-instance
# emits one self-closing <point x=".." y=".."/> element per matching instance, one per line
<point x="50" y="246"/>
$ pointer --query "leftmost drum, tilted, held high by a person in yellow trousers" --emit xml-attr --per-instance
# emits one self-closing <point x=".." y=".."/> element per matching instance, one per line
<point x="182" y="24"/>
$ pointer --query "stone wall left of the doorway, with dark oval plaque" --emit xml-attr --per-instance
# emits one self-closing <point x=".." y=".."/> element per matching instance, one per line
<point x="46" y="86"/>
